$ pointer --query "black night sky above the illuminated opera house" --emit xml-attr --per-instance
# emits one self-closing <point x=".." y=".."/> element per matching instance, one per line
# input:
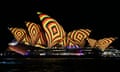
<point x="102" y="19"/>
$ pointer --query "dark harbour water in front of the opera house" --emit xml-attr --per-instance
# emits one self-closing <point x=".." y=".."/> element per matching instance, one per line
<point x="59" y="64"/>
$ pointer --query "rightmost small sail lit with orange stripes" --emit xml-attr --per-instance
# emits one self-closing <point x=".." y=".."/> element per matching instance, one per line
<point x="104" y="43"/>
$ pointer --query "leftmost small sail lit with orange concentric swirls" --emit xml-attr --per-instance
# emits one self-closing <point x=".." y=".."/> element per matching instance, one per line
<point x="20" y="35"/>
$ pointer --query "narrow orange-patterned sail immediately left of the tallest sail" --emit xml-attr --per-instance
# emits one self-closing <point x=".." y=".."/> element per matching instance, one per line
<point x="36" y="34"/>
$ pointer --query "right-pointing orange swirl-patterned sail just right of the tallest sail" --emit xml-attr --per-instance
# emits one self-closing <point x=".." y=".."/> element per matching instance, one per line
<point x="79" y="36"/>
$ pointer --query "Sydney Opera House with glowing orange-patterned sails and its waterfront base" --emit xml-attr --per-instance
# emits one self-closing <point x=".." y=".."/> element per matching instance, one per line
<point x="50" y="39"/>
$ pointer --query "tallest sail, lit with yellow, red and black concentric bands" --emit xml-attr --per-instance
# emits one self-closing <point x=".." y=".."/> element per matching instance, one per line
<point x="54" y="32"/>
